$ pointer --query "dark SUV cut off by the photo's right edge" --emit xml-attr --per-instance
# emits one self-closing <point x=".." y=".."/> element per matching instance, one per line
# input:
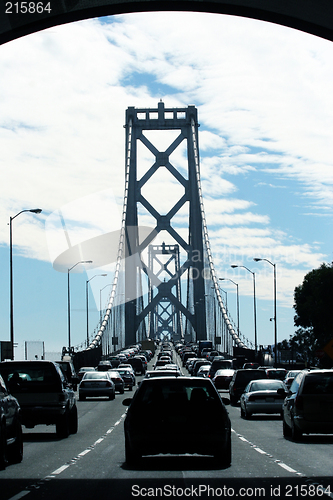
<point x="308" y="406"/>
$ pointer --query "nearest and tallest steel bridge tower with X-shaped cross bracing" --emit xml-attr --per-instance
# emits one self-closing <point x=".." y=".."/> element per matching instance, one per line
<point x="137" y="122"/>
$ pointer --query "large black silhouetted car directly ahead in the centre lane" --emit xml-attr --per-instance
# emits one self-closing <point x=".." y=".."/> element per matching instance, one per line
<point x="186" y="415"/>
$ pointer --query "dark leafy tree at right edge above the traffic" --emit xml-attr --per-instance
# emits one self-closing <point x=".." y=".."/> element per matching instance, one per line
<point x="314" y="311"/>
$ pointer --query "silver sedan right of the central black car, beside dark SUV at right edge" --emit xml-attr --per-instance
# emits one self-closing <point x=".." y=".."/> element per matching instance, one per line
<point x="262" y="396"/>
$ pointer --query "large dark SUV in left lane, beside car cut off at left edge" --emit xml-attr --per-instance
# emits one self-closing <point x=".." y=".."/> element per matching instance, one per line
<point x="43" y="393"/>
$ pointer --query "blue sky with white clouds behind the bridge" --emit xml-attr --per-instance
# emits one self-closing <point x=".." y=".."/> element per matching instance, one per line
<point x="264" y="100"/>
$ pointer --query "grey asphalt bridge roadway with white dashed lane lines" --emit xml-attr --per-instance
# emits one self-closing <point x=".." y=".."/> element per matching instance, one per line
<point x="91" y="464"/>
